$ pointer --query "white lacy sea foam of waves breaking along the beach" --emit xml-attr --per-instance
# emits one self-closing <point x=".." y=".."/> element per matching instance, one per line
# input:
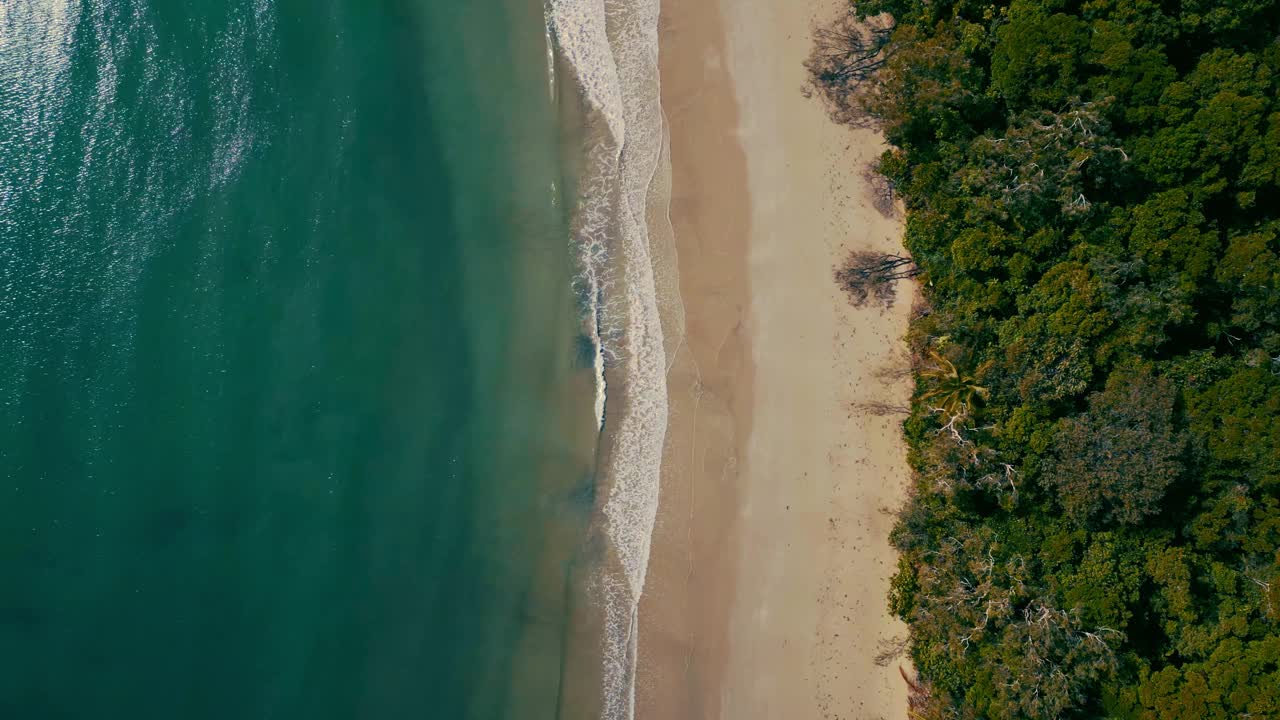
<point x="612" y="51"/>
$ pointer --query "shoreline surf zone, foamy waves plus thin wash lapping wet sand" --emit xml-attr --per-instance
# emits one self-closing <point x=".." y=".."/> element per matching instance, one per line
<point x="624" y="252"/>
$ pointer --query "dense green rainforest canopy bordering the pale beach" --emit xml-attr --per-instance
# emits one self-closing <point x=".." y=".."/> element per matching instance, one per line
<point x="1092" y="198"/>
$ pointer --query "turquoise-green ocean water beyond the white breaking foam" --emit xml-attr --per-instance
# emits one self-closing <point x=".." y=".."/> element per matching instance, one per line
<point x="294" y="421"/>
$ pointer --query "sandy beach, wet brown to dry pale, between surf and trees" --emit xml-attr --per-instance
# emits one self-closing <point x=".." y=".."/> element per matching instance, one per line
<point x="767" y="585"/>
